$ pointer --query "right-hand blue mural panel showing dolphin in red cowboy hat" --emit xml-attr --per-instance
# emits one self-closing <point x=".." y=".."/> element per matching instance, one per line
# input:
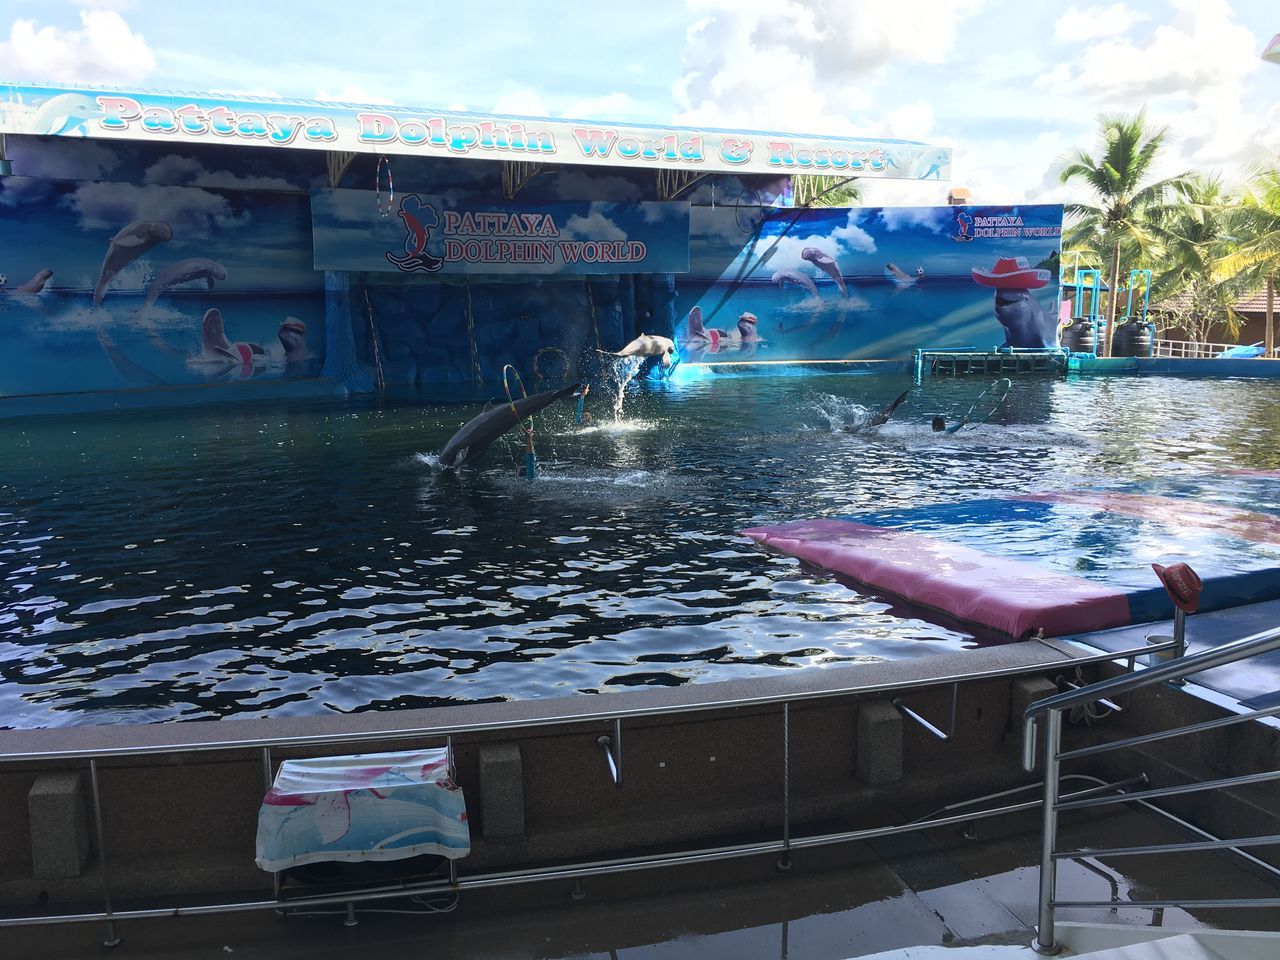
<point x="868" y="284"/>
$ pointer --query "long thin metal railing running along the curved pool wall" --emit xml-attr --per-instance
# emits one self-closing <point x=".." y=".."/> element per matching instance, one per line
<point x="612" y="751"/>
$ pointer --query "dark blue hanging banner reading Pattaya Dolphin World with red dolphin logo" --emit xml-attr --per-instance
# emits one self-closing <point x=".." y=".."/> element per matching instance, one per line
<point x="367" y="232"/>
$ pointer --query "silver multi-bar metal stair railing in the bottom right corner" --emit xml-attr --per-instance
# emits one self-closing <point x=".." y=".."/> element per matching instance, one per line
<point x="1053" y="710"/>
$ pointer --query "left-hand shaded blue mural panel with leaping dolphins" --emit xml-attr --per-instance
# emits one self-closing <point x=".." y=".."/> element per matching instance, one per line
<point x="116" y="285"/>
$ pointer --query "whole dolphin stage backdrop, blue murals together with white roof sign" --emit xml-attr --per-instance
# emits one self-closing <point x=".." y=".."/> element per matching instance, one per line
<point x="158" y="241"/>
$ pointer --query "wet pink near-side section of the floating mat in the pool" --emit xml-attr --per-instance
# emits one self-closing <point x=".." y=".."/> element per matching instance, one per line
<point x="1009" y="596"/>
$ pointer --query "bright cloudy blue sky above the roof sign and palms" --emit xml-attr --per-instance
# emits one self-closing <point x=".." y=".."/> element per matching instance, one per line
<point x="1011" y="85"/>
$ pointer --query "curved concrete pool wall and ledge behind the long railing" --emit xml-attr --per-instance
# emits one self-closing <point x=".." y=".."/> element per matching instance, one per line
<point x="181" y="825"/>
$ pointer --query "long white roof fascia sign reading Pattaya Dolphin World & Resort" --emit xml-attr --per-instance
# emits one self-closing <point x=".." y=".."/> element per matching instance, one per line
<point x="365" y="129"/>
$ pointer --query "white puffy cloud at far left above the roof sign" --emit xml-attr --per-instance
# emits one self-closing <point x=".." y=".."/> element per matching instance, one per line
<point x="106" y="49"/>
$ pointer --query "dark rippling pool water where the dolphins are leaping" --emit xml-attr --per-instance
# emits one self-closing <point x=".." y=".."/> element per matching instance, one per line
<point x="309" y="557"/>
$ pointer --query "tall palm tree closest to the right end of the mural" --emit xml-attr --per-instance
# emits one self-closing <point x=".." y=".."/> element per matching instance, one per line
<point x="1118" y="179"/>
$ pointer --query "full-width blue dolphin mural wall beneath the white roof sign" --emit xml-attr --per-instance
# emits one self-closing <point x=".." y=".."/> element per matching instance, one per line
<point x="138" y="266"/>
